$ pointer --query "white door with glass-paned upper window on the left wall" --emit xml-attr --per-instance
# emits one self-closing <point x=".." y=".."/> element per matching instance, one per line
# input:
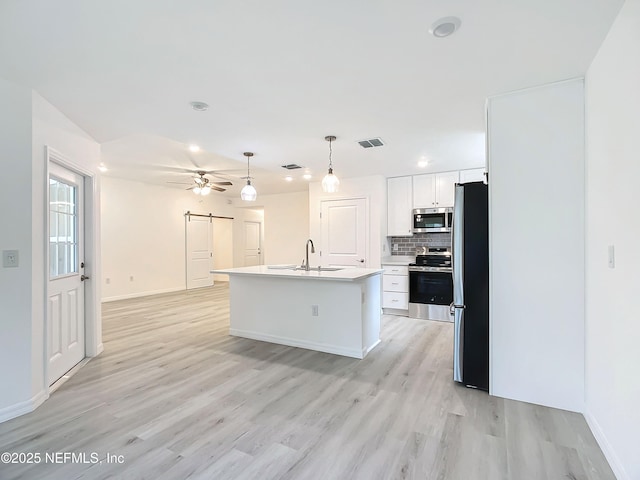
<point x="65" y="289"/>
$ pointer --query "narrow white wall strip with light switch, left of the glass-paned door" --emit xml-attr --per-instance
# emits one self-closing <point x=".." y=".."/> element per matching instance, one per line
<point x="16" y="313"/>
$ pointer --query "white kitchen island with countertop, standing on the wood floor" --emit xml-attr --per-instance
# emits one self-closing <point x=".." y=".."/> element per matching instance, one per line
<point x="329" y="311"/>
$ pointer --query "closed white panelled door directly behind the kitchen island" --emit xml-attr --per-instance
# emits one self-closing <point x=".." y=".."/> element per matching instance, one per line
<point x="344" y="233"/>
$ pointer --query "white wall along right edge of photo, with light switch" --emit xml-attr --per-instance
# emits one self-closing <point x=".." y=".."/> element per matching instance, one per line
<point x="613" y="196"/>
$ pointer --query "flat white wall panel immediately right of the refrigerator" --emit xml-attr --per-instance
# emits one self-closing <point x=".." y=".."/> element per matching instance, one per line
<point x="536" y="185"/>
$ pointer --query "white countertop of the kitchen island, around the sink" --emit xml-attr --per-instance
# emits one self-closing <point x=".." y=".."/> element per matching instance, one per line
<point x="287" y="271"/>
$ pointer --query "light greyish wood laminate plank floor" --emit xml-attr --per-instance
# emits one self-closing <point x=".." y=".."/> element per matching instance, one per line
<point x="178" y="398"/>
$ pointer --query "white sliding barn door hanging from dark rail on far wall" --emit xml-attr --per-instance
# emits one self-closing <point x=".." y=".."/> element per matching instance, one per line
<point x="199" y="251"/>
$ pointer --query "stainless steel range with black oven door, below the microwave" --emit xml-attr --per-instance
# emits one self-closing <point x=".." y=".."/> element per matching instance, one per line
<point x="431" y="284"/>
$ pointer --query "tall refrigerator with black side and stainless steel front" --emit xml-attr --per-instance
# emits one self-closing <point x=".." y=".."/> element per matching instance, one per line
<point x="470" y="307"/>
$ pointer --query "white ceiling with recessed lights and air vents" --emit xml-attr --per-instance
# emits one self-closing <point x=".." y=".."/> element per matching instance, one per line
<point x="280" y="75"/>
